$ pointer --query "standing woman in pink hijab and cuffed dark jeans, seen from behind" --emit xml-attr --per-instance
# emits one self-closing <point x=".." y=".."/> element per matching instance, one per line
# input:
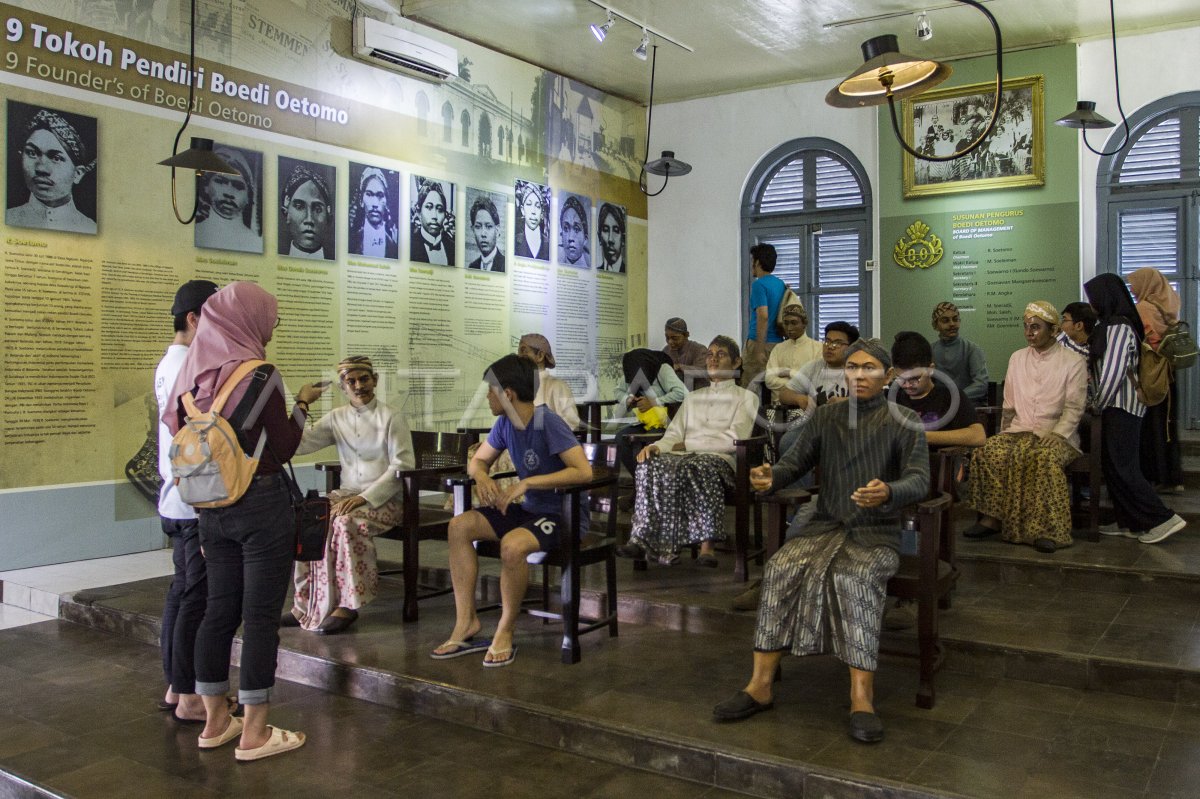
<point x="248" y="546"/>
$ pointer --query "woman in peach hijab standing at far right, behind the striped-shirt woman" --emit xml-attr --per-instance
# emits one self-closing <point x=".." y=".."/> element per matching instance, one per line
<point x="1159" y="305"/>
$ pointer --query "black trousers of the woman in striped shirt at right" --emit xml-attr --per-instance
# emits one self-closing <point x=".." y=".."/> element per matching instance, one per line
<point x="1137" y="507"/>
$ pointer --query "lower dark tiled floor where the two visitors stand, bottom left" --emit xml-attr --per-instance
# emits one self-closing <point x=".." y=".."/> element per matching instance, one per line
<point x="79" y="718"/>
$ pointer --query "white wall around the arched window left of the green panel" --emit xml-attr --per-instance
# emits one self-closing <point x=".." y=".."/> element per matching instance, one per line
<point x="695" y="249"/>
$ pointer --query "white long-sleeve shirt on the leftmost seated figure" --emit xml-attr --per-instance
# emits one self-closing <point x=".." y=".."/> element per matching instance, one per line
<point x="373" y="443"/>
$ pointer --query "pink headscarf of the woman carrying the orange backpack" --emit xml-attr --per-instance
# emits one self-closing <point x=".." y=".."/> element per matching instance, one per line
<point x="235" y="328"/>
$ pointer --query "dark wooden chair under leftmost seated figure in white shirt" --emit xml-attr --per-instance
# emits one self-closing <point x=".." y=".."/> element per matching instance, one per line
<point x="437" y="455"/>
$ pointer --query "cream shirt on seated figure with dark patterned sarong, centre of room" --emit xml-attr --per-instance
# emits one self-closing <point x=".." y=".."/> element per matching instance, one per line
<point x="712" y="419"/>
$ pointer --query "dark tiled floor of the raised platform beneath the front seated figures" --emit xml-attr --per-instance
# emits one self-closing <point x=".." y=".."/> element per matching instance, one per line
<point x="987" y="737"/>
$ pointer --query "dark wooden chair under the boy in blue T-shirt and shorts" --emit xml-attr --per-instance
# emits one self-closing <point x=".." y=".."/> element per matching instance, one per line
<point x="574" y="554"/>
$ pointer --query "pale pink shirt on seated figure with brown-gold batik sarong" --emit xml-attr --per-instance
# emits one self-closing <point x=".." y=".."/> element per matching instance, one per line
<point x="1048" y="392"/>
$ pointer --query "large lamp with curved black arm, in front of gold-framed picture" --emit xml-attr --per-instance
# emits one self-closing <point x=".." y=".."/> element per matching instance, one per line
<point x="889" y="76"/>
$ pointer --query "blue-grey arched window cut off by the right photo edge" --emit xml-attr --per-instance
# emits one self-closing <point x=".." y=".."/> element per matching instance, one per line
<point x="1148" y="212"/>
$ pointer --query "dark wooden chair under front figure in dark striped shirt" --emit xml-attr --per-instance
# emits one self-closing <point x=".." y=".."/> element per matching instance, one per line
<point x="927" y="576"/>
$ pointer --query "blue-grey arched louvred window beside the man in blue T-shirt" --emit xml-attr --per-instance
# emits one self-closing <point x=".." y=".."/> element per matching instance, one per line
<point x="811" y="200"/>
